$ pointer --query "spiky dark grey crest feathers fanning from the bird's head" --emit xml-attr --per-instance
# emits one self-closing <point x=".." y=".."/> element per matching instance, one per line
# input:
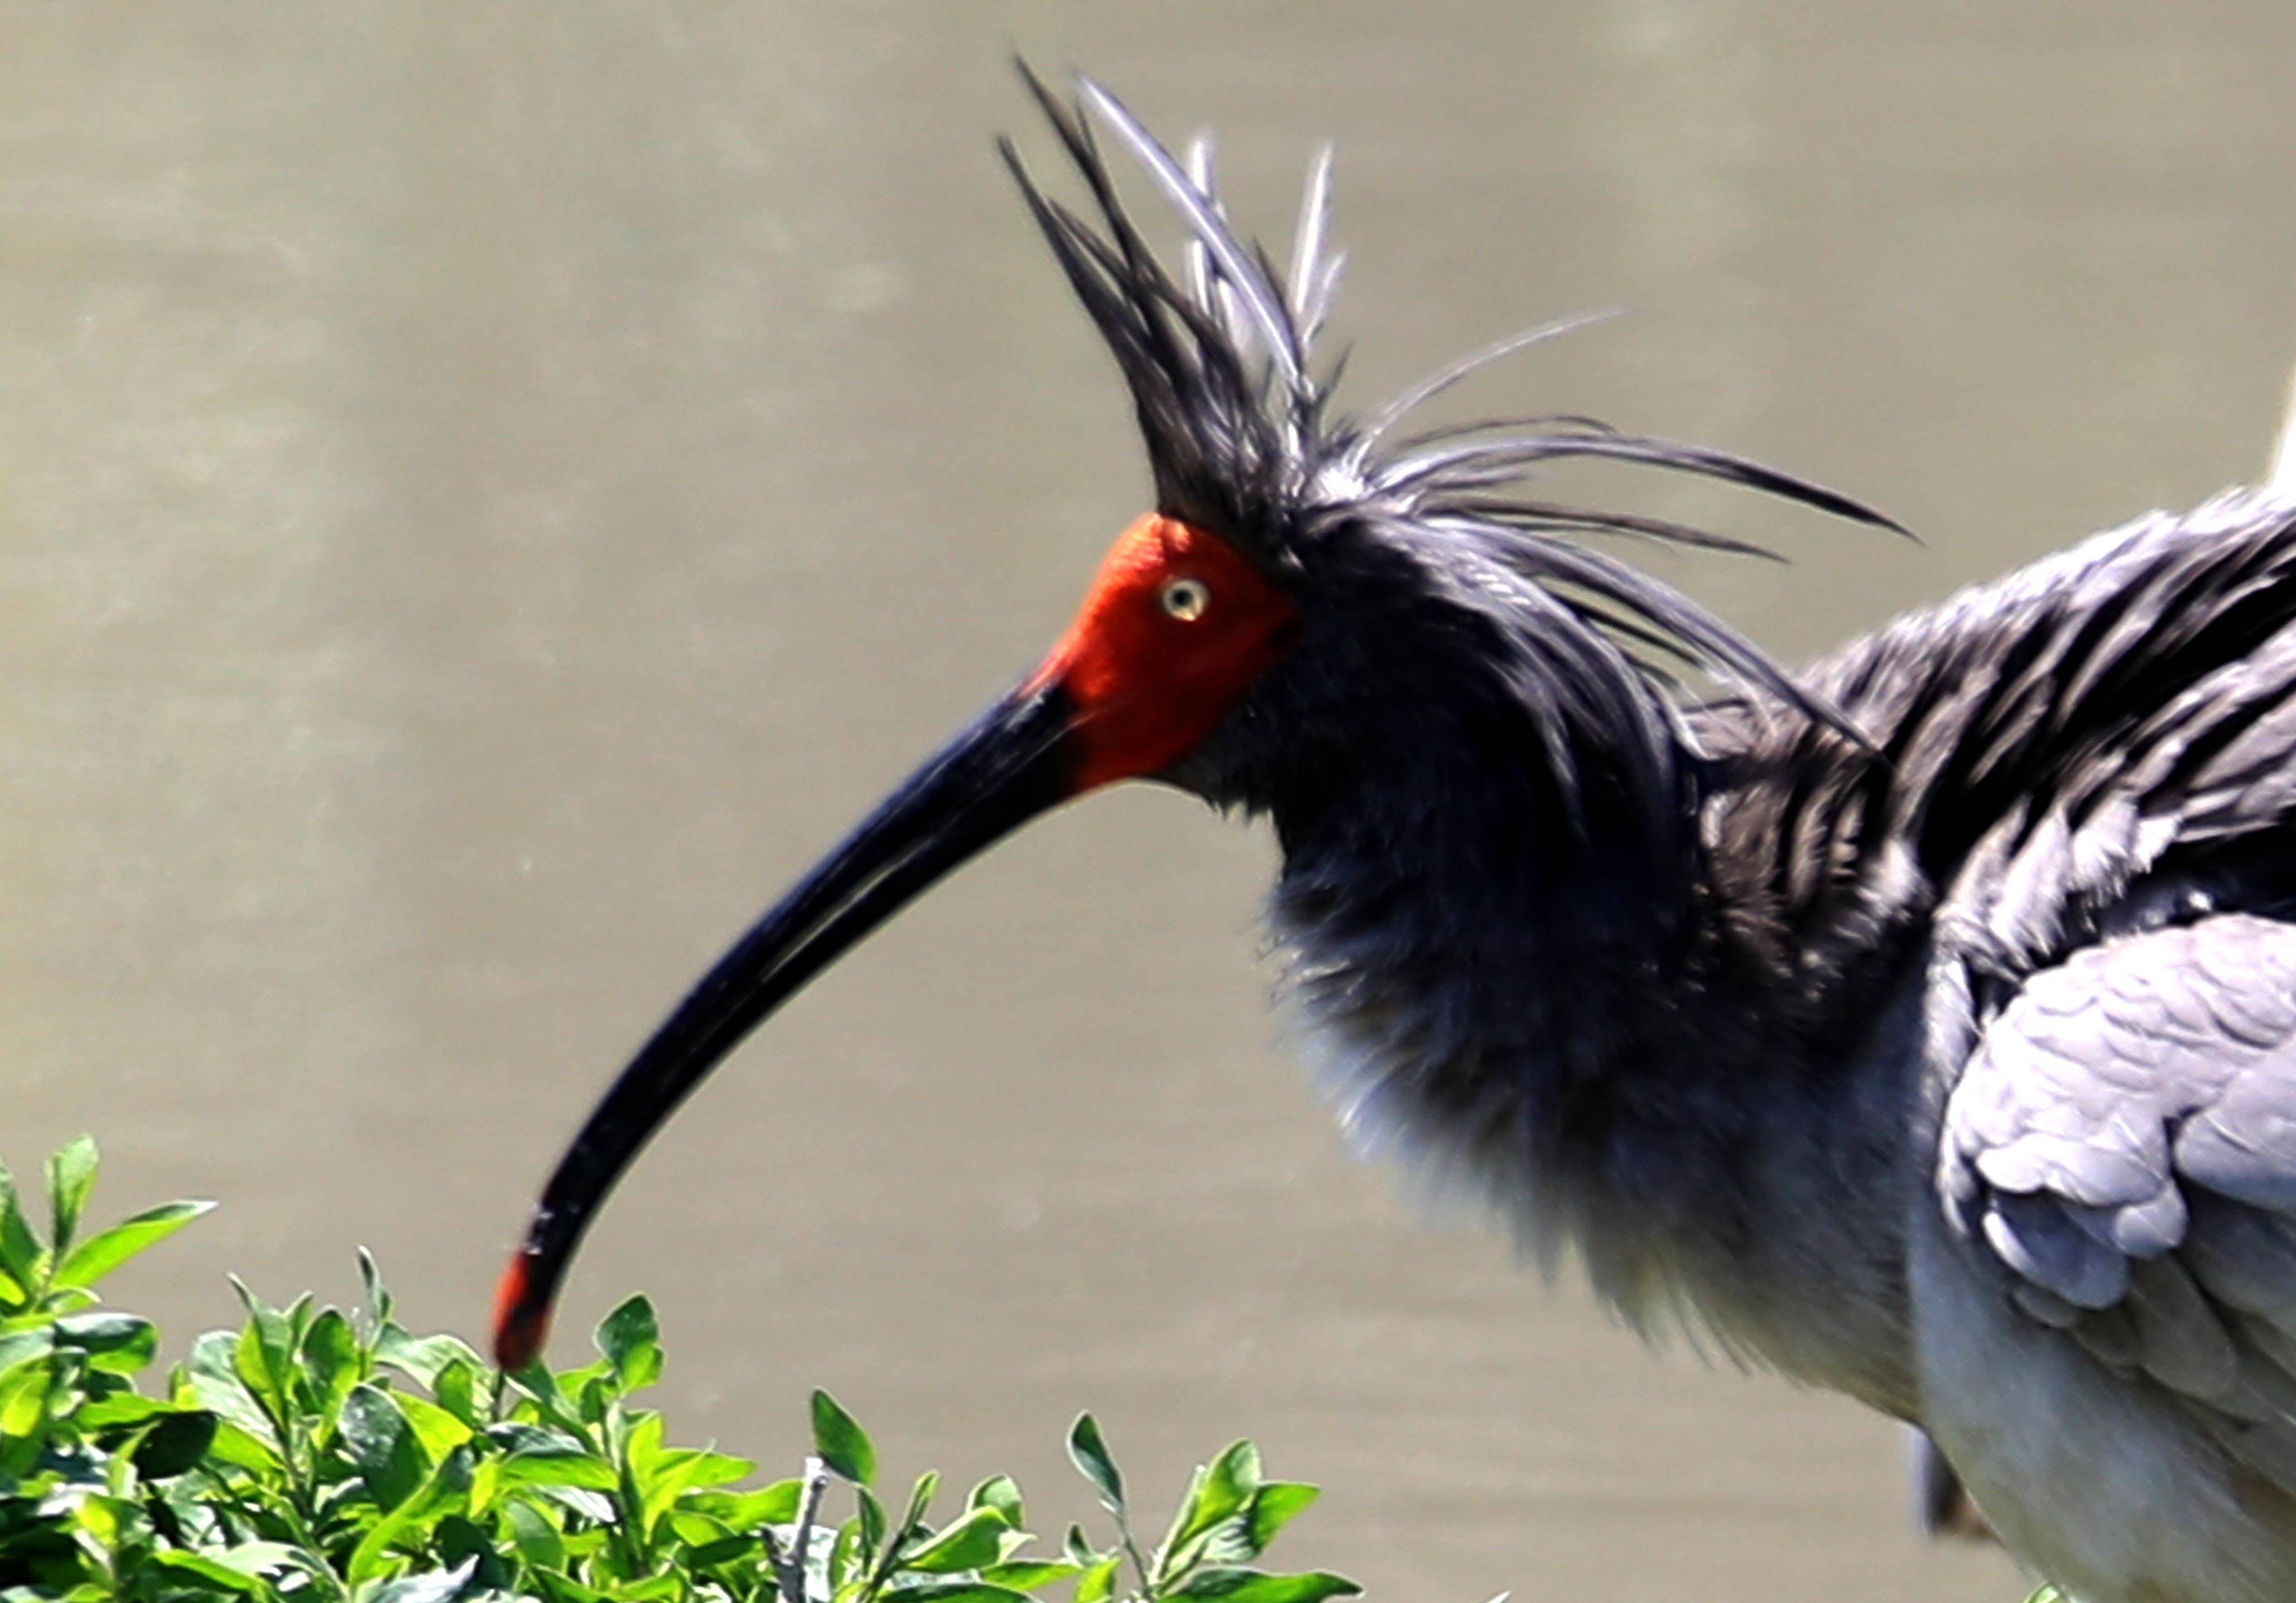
<point x="1236" y="415"/>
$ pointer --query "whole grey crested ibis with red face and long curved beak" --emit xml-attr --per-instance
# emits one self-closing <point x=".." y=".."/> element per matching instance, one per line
<point x="1921" y="1025"/>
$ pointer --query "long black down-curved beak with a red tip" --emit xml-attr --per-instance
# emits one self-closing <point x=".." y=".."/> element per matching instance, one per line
<point x="1014" y="764"/>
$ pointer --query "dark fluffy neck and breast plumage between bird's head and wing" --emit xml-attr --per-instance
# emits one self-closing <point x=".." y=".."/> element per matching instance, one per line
<point x="1507" y="1000"/>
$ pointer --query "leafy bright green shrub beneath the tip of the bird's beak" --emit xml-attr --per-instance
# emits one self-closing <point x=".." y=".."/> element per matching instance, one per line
<point x="336" y="1457"/>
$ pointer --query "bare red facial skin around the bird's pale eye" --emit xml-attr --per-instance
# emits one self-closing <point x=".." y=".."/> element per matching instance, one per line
<point x="1147" y="683"/>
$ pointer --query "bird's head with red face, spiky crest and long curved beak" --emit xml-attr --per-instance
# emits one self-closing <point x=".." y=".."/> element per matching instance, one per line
<point x="1303" y="591"/>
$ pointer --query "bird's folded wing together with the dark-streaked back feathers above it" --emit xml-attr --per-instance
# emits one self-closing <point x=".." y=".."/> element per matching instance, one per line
<point x="2081" y="803"/>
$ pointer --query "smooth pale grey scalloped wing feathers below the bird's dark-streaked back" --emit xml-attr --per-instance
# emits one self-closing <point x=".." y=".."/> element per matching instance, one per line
<point x="2123" y="1145"/>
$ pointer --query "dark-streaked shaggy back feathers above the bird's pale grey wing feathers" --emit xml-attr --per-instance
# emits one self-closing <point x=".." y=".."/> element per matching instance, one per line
<point x="2102" y="725"/>
